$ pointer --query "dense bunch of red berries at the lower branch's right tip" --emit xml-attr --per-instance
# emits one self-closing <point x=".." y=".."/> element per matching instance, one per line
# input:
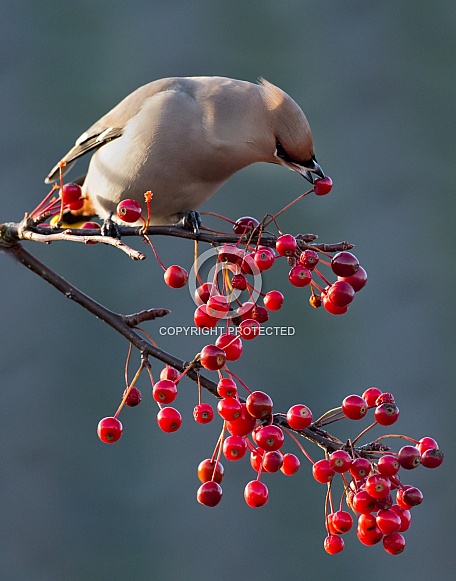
<point x="371" y="477"/>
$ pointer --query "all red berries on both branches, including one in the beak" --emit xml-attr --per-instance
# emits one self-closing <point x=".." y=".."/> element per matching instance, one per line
<point x="373" y="492"/>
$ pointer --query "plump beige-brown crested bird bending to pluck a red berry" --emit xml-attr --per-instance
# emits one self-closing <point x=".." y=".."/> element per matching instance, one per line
<point x="182" y="138"/>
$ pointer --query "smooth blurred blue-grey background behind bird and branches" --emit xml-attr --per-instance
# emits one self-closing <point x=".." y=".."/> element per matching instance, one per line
<point x="377" y="83"/>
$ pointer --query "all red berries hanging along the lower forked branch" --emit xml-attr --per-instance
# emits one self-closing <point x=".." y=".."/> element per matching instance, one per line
<point x="370" y="473"/>
